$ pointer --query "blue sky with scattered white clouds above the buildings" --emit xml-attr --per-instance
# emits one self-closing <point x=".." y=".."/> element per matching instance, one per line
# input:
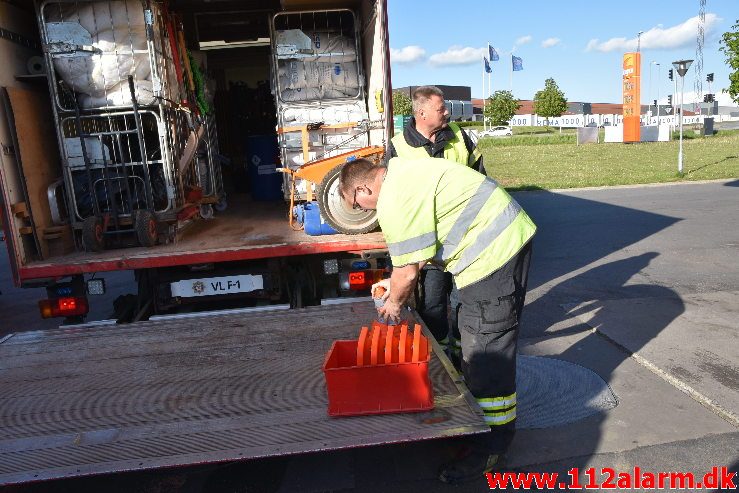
<point x="578" y="43"/>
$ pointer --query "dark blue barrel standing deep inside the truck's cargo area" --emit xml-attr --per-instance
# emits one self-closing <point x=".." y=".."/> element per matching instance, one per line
<point x="262" y="161"/>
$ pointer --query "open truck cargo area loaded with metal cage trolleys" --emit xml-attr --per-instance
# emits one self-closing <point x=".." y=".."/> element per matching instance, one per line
<point x="136" y="169"/>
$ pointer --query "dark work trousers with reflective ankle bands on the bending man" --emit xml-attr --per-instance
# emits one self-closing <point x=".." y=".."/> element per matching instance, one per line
<point x="489" y="314"/>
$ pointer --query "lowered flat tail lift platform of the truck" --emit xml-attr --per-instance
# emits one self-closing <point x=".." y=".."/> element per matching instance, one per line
<point x="195" y="389"/>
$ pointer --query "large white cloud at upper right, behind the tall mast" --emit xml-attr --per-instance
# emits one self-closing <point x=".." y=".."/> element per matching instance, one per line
<point x="659" y="38"/>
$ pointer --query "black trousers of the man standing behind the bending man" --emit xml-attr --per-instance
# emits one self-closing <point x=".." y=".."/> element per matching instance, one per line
<point x="438" y="293"/>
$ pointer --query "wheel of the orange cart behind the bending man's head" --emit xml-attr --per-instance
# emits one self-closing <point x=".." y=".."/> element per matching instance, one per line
<point x="336" y="213"/>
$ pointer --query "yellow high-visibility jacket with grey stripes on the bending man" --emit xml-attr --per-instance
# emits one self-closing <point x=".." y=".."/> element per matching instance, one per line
<point x="432" y="209"/>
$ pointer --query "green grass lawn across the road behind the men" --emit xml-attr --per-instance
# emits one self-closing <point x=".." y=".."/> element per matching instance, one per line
<point x="531" y="165"/>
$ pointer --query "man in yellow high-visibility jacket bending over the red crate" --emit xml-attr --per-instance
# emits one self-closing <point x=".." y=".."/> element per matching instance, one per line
<point x="433" y="210"/>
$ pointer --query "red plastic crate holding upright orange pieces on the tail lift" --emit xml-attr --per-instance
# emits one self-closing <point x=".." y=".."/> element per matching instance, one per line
<point x="385" y="371"/>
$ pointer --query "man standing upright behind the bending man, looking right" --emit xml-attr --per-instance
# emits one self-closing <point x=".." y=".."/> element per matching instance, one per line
<point x="430" y="134"/>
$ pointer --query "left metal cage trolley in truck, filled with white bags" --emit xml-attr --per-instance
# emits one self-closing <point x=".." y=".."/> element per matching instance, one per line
<point x="135" y="151"/>
